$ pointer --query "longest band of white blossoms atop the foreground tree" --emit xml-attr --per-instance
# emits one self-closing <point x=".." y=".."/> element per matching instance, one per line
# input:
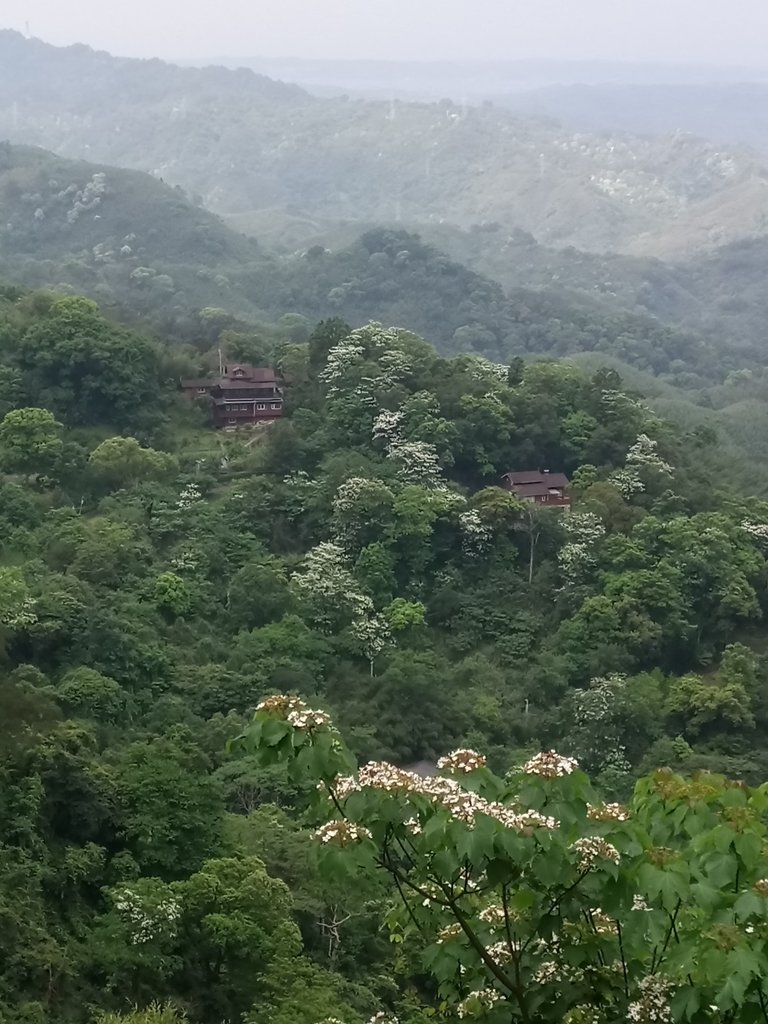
<point x="446" y="793"/>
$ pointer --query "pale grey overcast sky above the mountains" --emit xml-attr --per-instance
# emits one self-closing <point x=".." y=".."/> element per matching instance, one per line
<point x="723" y="32"/>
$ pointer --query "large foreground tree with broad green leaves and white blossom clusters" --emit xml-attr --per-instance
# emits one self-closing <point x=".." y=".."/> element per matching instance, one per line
<point x="530" y="899"/>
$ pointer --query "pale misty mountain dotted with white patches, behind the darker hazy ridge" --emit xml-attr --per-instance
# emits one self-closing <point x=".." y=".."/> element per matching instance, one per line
<point x="242" y="143"/>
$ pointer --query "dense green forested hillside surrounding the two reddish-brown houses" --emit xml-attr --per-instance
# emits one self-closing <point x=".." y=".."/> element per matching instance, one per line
<point x="159" y="580"/>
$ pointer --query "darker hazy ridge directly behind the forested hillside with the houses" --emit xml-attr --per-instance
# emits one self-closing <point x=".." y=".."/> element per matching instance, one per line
<point x="145" y="250"/>
